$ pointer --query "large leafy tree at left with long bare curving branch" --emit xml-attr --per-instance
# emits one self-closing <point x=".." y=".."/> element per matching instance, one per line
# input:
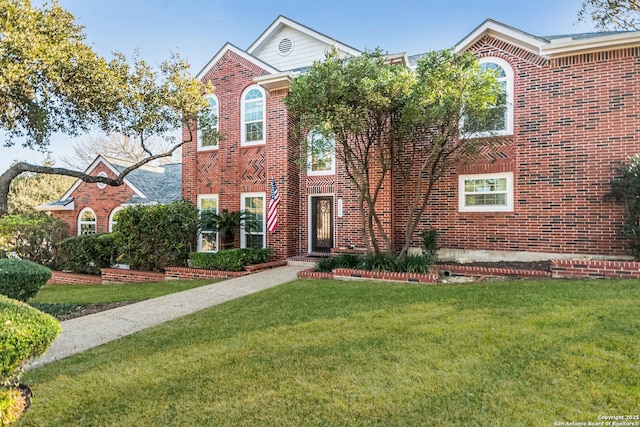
<point x="50" y="81"/>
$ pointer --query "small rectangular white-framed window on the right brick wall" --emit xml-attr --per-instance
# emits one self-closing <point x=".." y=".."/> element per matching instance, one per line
<point x="486" y="192"/>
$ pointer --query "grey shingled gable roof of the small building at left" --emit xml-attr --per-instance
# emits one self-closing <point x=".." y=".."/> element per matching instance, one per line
<point x="150" y="184"/>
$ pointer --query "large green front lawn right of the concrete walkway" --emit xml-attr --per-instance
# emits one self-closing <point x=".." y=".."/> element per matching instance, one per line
<point x="328" y="353"/>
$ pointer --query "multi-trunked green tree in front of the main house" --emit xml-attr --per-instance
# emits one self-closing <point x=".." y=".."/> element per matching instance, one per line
<point x="380" y="115"/>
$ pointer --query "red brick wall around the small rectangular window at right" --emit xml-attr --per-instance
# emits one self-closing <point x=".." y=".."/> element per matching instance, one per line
<point x="576" y="119"/>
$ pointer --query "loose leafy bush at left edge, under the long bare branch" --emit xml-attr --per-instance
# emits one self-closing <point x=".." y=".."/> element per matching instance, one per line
<point x="35" y="238"/>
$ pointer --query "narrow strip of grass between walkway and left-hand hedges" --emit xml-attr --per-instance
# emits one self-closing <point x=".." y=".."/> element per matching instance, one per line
<point x="63" y="299"/>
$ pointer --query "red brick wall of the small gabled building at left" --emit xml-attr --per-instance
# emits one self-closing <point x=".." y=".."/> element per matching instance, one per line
<point x="101" y="200"/>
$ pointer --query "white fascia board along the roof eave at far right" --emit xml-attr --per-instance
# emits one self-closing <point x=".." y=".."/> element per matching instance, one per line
<point x="573" y="47"/>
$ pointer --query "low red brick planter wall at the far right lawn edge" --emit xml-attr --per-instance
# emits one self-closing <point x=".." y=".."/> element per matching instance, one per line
<point x="596" y="269"/>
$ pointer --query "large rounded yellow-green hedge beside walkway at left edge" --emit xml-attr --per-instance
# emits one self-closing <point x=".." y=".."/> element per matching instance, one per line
<point x="25" y="332"/>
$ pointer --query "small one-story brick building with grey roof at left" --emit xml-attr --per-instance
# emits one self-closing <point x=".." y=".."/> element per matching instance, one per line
<point x="91" y="208"/>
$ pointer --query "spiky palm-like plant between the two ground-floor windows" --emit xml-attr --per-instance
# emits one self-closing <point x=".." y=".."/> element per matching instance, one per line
<point x="228" y="224"/>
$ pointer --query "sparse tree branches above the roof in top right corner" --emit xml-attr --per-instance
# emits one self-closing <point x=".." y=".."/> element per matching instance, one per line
<point x="611" y="14"/>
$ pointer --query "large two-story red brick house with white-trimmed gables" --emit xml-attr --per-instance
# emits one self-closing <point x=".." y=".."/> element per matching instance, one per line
<point x="572" y="118"/>
